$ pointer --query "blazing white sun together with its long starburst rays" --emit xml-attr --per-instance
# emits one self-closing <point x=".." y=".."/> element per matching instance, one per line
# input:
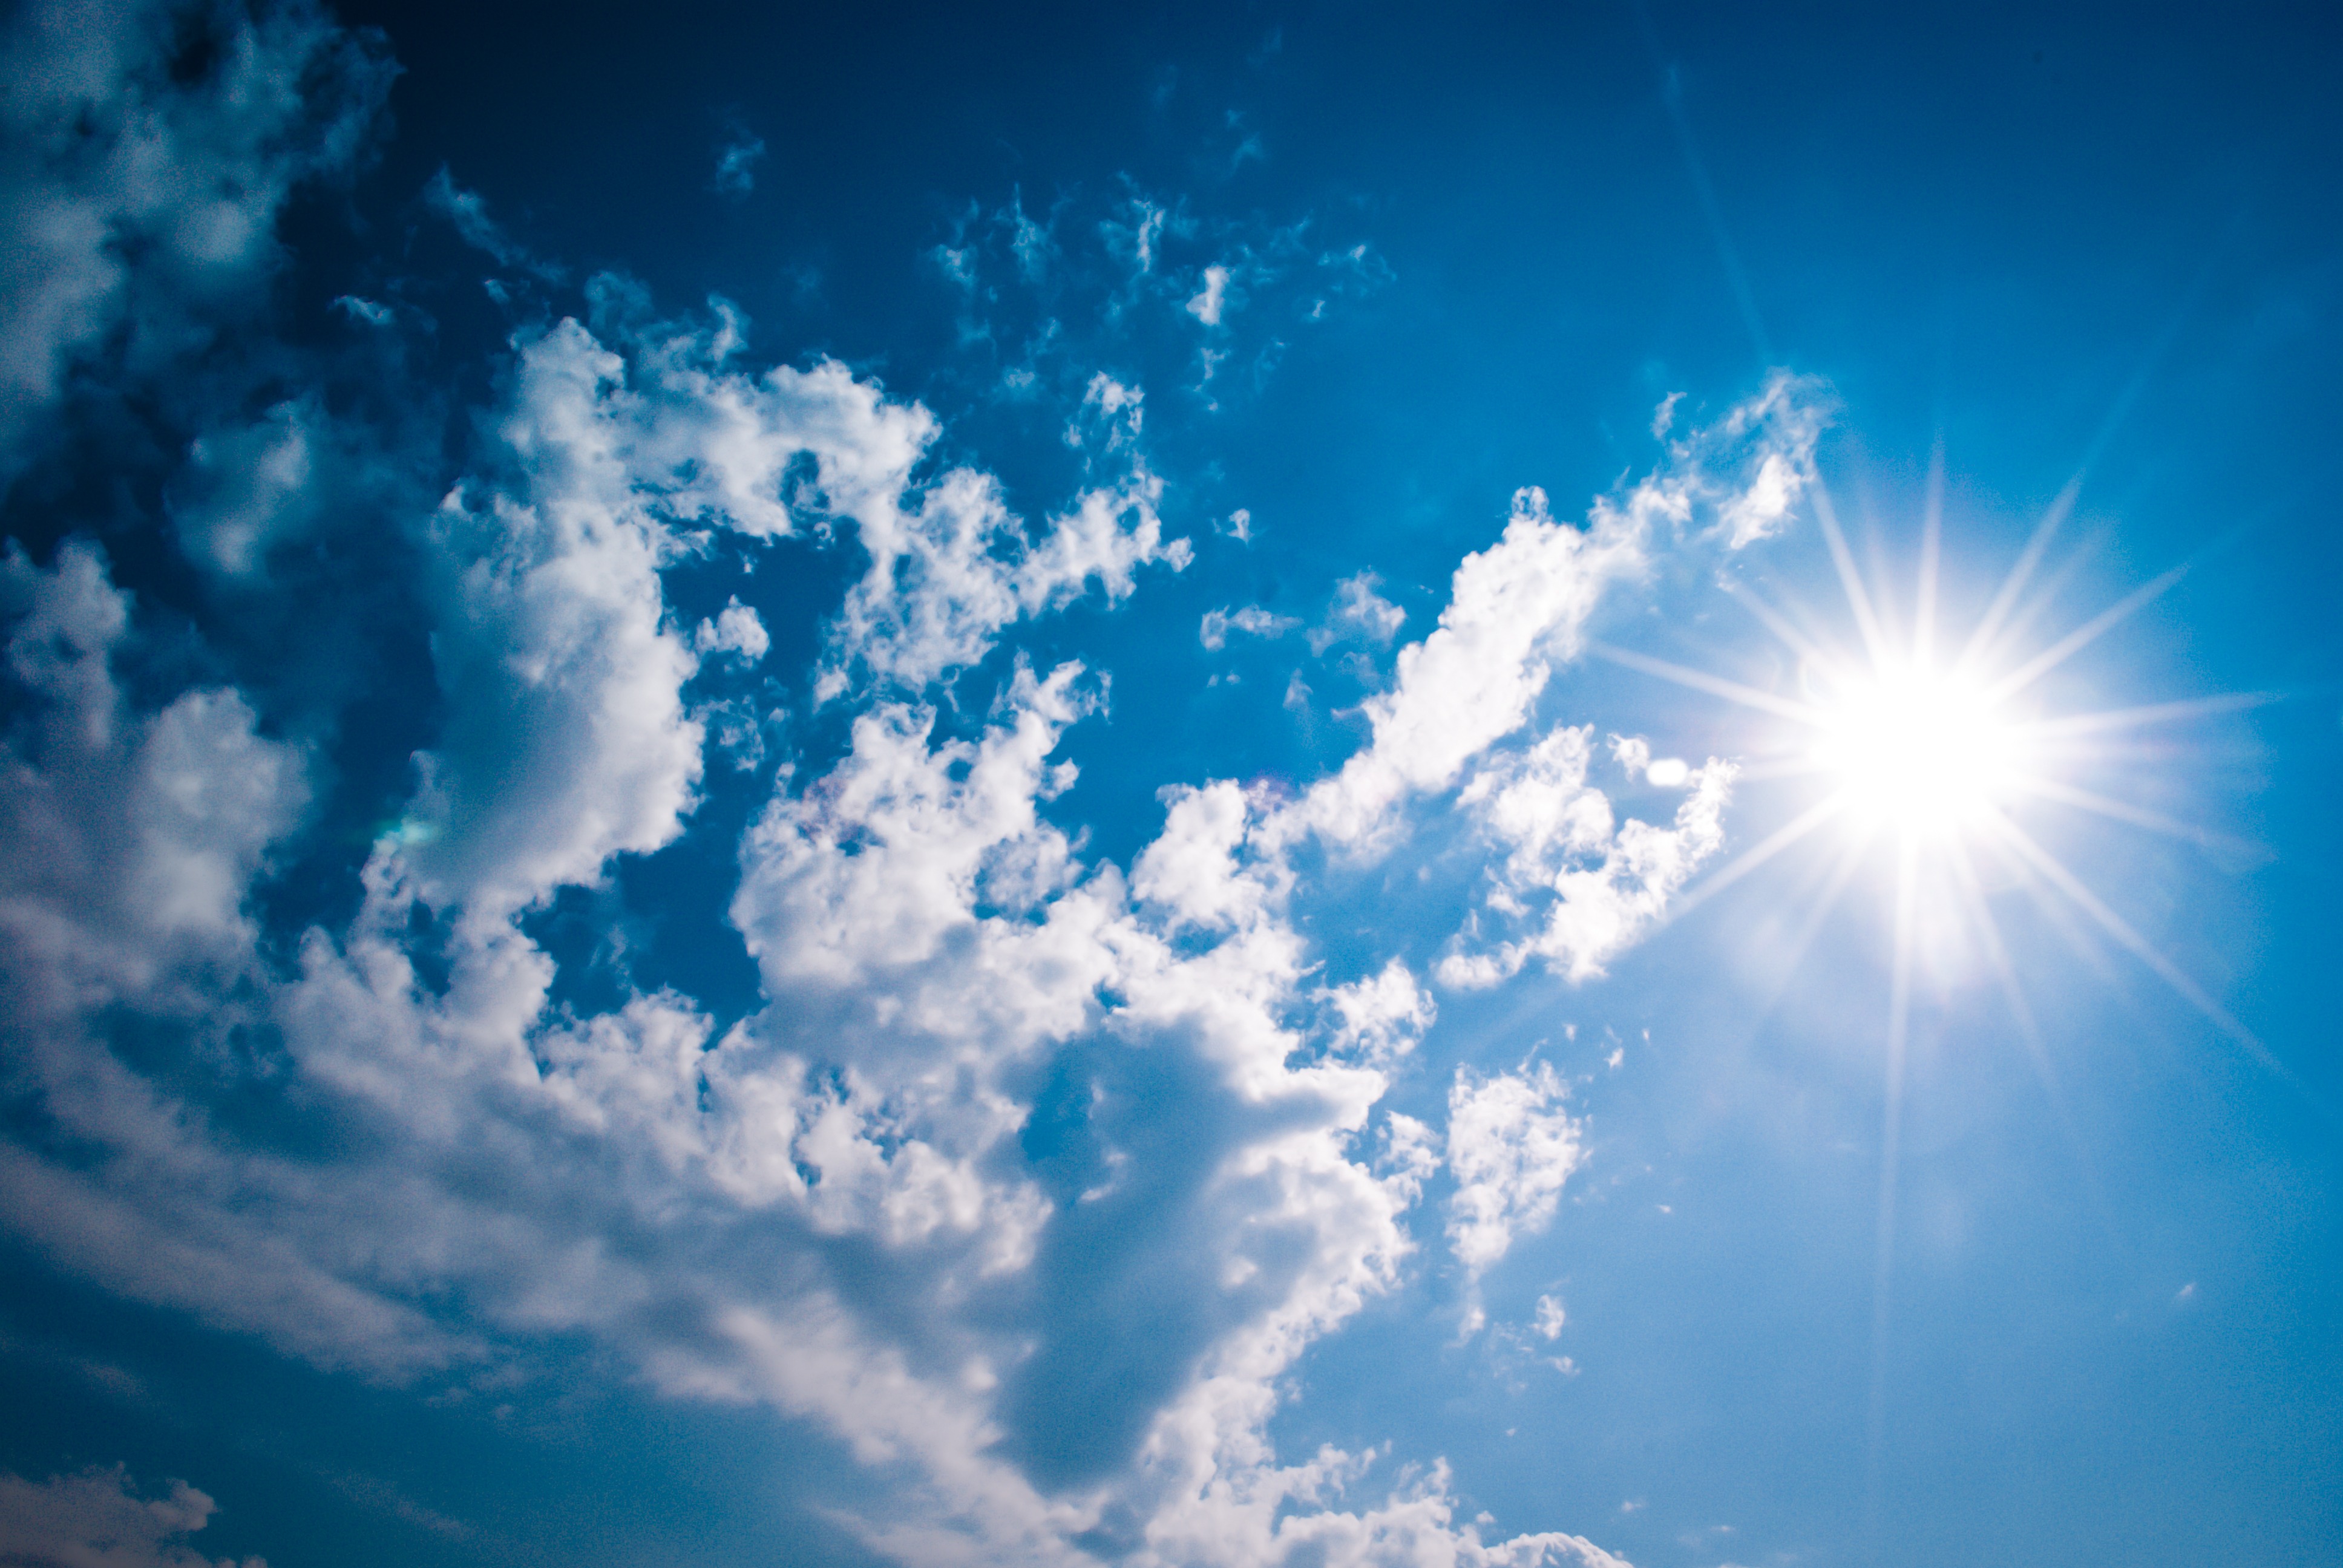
<point x="1927" y="756"/>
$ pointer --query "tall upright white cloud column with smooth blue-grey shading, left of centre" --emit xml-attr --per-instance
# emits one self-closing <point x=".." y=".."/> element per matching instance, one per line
<point x="568" y="737"/>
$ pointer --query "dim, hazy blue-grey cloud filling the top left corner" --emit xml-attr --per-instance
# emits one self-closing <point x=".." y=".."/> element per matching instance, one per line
<point x="125" y="132"/>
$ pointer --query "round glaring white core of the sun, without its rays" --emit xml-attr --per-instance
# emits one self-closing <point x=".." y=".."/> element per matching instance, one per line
<point x="1918" y="749"/>
